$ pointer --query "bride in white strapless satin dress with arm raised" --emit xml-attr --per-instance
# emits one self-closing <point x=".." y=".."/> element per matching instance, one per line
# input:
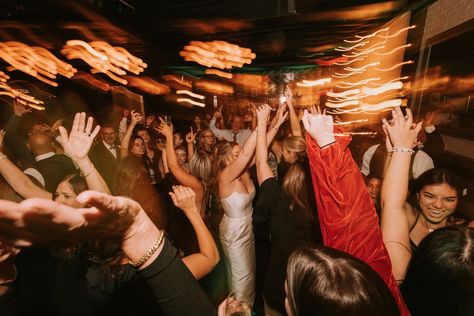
<point x="236" y="192"/>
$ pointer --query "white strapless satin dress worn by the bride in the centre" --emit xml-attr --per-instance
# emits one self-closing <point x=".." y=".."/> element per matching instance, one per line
<point x="237" y="239"/>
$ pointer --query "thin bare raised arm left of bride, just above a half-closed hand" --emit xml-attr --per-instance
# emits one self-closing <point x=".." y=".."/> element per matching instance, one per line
<point x="184" y="177"/>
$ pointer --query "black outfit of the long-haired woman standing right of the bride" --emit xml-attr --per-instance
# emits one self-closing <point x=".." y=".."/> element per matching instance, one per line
<point x="290" y="228"/>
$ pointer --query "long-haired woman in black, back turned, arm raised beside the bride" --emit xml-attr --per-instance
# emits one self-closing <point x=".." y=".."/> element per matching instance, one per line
<point x="288" y="211"/>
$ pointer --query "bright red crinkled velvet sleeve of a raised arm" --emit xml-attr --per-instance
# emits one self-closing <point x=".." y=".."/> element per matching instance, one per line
<point x="346" y="212"/>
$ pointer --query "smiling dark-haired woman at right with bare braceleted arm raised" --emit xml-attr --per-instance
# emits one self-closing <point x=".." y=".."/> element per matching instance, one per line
<point x="438" y="194"/>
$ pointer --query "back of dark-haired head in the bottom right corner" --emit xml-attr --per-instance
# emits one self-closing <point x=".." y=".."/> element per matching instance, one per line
<point x="440" y="277"/>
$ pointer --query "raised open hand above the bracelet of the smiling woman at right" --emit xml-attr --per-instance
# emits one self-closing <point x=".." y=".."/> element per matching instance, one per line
<point x="402" y="131"/>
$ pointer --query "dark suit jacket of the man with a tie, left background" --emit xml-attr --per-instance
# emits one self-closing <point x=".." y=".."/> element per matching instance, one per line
<point x="104" y="161"/>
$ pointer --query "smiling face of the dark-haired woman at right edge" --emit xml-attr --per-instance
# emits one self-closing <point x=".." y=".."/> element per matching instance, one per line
<point x="437" y="202"/>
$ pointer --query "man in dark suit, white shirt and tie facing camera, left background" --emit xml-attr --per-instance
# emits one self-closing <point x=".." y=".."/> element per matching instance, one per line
<point x="105" y="153"/>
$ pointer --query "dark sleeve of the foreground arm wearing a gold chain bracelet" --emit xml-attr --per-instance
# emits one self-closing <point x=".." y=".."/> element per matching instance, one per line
<point x="173" y="287"/>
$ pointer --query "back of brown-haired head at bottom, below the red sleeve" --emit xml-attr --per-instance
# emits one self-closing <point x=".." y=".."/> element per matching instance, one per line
<point x="326" y="281"/>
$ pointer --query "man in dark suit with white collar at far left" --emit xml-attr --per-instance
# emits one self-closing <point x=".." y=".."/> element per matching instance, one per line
<point x="53" y="168"/>
